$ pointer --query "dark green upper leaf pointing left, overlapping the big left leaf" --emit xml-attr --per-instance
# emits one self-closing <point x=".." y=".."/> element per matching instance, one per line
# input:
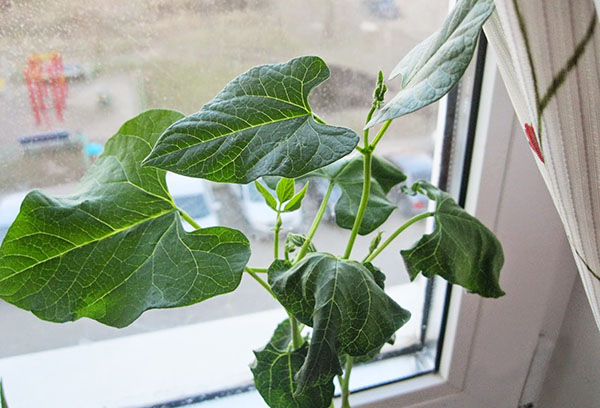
<point x="259" y="125"/>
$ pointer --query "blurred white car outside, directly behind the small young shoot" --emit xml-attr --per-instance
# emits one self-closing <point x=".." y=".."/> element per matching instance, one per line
<point x="259" y="215"/>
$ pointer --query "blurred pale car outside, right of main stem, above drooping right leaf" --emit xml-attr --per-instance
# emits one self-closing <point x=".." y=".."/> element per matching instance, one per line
<point x="416" y="167"/>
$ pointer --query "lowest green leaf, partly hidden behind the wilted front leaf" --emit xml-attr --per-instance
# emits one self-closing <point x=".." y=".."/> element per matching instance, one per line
<point x="274" y="371"/>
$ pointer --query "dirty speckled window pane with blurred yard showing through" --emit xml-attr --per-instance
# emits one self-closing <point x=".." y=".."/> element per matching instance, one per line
<point x="119" y="58"/>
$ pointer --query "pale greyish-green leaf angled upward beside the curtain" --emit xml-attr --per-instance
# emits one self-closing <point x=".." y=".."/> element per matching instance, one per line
<point x="434" y="66"/>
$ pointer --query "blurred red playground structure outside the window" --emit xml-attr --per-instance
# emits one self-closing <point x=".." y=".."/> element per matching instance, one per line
<point x="47" y="85"/>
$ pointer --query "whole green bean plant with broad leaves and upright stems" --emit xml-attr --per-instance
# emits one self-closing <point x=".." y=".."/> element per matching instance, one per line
<point x="118" y="247"/>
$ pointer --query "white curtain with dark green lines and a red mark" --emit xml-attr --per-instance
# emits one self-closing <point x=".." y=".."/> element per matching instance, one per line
<point x="549" y="58"/>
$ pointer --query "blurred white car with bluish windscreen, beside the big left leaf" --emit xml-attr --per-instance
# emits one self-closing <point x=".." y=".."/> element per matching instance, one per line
<point x="195" y="197"/>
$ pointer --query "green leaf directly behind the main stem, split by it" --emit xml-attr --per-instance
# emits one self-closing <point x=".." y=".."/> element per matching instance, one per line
<point x="348" y="175"/>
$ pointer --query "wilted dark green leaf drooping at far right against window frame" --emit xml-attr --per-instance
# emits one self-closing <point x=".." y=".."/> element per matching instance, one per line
<point x="460" y="249"/>
